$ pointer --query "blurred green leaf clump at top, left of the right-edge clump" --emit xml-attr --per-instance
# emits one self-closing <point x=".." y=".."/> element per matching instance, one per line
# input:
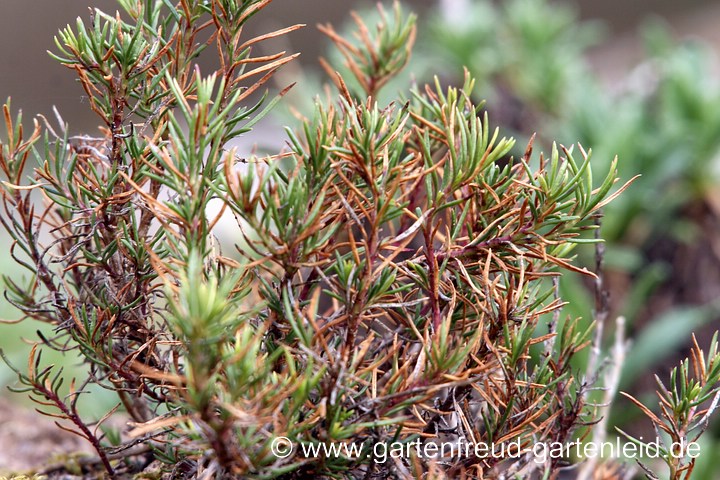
<point x="524" y="49"/>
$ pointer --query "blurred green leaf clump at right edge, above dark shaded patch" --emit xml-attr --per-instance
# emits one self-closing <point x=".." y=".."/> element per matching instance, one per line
<point x="665" y="125"/>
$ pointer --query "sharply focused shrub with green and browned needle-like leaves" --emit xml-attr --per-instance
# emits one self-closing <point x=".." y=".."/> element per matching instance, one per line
<point x="393" y="281"/>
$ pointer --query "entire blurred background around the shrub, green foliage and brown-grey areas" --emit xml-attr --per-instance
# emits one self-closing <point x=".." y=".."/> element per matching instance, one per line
<point x="634" y="79"/>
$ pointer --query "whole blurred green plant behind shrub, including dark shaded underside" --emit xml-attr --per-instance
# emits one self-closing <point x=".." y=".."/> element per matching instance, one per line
<point x="660" y="118"/>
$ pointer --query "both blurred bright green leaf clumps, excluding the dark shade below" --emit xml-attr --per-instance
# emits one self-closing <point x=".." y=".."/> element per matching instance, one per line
<point x="661" y="120"/>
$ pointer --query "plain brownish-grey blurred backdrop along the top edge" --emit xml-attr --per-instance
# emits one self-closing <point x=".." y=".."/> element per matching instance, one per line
<point x="36" y="82"/>
